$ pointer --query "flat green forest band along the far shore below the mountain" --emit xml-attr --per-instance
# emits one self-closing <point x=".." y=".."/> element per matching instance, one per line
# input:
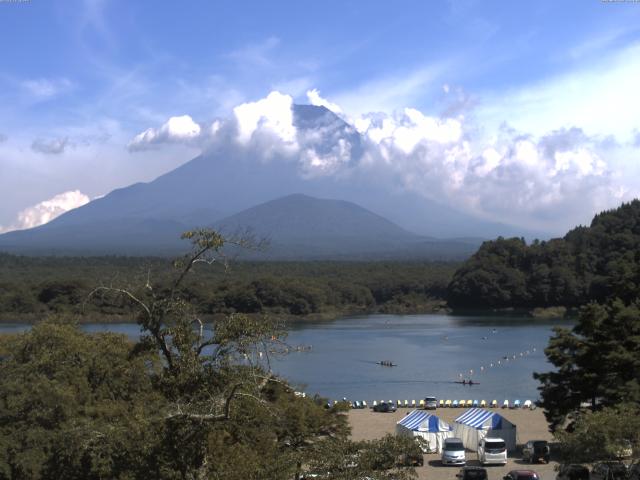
<point x="33" y="287"/>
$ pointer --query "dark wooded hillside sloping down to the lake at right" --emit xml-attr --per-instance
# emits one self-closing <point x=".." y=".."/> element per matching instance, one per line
<point x="595" y="263"/>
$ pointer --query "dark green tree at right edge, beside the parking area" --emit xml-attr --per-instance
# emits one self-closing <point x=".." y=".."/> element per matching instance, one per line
<point x="597" y="362"/>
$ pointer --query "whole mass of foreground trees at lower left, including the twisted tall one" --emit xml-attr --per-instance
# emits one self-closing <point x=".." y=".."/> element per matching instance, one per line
<point x="186" y="401"/>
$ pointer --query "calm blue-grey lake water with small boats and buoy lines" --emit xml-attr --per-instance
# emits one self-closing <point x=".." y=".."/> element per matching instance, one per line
<point x="432" y="352"/>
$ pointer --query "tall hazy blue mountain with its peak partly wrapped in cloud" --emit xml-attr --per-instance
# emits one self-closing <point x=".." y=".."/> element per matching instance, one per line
<point x="217" y="188"/>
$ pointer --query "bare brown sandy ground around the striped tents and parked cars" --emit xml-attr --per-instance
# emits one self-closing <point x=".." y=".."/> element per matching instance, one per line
<point x="531" y="425"/>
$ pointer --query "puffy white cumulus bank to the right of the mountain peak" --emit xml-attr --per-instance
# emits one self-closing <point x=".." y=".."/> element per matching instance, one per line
<point x="513" y="177"/>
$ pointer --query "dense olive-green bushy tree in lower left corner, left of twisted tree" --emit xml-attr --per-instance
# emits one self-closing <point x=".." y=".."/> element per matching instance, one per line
<point x="76" y="406"/>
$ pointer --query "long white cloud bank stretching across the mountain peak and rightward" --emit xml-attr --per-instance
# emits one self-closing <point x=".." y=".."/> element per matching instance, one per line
<point x="505" y="175"/>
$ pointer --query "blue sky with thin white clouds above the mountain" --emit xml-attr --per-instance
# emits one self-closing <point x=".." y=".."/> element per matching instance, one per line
<point x="80" y="79"/>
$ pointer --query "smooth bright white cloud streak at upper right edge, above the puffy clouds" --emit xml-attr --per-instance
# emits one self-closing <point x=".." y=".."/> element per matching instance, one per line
<point x="601" y="98"/>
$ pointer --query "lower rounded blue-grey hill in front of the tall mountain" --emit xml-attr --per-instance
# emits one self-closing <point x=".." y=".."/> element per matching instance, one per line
<point x="299" y="226"/>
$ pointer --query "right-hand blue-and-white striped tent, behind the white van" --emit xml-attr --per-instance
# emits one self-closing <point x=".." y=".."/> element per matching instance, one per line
<point x="477" y="423"/>
